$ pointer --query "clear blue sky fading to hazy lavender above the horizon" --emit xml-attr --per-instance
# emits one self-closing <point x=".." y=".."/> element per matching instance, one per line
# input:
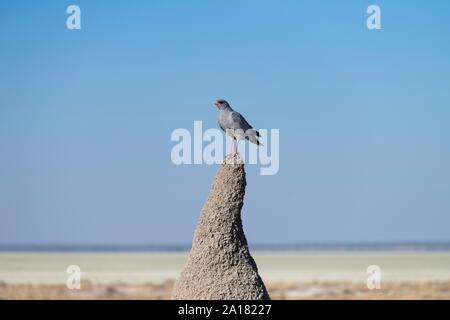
<point x="86" y="118"/>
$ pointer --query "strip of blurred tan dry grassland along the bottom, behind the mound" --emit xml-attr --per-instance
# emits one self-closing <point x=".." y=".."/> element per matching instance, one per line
<point x="279" y="290"/>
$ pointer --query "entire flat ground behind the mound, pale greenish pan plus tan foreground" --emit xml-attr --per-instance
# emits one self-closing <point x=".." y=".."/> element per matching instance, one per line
<point x="287" y="275"/>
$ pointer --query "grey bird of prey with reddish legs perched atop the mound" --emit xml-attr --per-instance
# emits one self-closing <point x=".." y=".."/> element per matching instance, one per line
<point x="235" y="125"/>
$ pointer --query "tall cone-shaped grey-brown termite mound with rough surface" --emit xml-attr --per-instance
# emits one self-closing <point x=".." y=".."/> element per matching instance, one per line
<point x="219" y="265"/>
